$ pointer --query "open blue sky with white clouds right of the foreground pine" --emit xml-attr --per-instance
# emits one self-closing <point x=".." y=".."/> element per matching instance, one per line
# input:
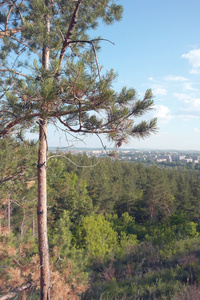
<point x="157" y="46"/>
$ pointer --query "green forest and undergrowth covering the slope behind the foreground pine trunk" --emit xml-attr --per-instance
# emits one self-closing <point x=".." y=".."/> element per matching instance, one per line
<point x="118" y="229"/>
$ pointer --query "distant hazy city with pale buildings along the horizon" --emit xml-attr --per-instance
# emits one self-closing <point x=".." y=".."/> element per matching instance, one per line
<point x="145" y="156"/>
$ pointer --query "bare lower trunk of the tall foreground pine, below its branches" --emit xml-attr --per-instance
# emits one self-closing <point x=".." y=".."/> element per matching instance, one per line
<point x="42" y="214"/>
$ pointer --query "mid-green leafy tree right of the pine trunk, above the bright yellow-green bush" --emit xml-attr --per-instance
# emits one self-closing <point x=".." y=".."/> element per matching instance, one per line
<point x="67" y="192"/>
